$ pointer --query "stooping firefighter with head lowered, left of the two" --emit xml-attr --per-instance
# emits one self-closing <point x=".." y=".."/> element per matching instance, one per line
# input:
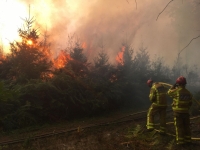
<point x="158" y="99"/>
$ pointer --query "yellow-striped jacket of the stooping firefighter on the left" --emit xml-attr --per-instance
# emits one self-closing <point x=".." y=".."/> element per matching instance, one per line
<point x="158" y="94"/>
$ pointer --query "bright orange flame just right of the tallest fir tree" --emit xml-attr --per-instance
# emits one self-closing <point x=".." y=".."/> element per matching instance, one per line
<point x="61" y="60"/>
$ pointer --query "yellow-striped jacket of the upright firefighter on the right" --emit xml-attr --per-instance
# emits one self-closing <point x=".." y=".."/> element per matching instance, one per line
<point x="182" y="99"/>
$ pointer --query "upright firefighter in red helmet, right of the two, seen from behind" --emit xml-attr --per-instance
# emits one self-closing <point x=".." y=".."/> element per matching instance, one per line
<point x="182" y="100"/>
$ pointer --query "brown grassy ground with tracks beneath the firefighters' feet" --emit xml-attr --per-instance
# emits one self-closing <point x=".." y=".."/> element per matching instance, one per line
<point x="114" y="133"/>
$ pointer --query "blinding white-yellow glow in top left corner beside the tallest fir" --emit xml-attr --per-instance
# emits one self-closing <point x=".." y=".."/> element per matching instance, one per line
<point x="11" y="13"/>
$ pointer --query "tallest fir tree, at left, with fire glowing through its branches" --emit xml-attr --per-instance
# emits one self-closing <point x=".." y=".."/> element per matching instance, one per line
<point x="27" y="60"/>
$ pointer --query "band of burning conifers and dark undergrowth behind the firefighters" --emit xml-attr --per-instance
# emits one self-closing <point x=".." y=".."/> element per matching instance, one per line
<point x="38" y="88"/>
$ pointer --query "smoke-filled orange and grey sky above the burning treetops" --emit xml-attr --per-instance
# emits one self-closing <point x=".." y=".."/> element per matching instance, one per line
<point x="108" y="24"/>
